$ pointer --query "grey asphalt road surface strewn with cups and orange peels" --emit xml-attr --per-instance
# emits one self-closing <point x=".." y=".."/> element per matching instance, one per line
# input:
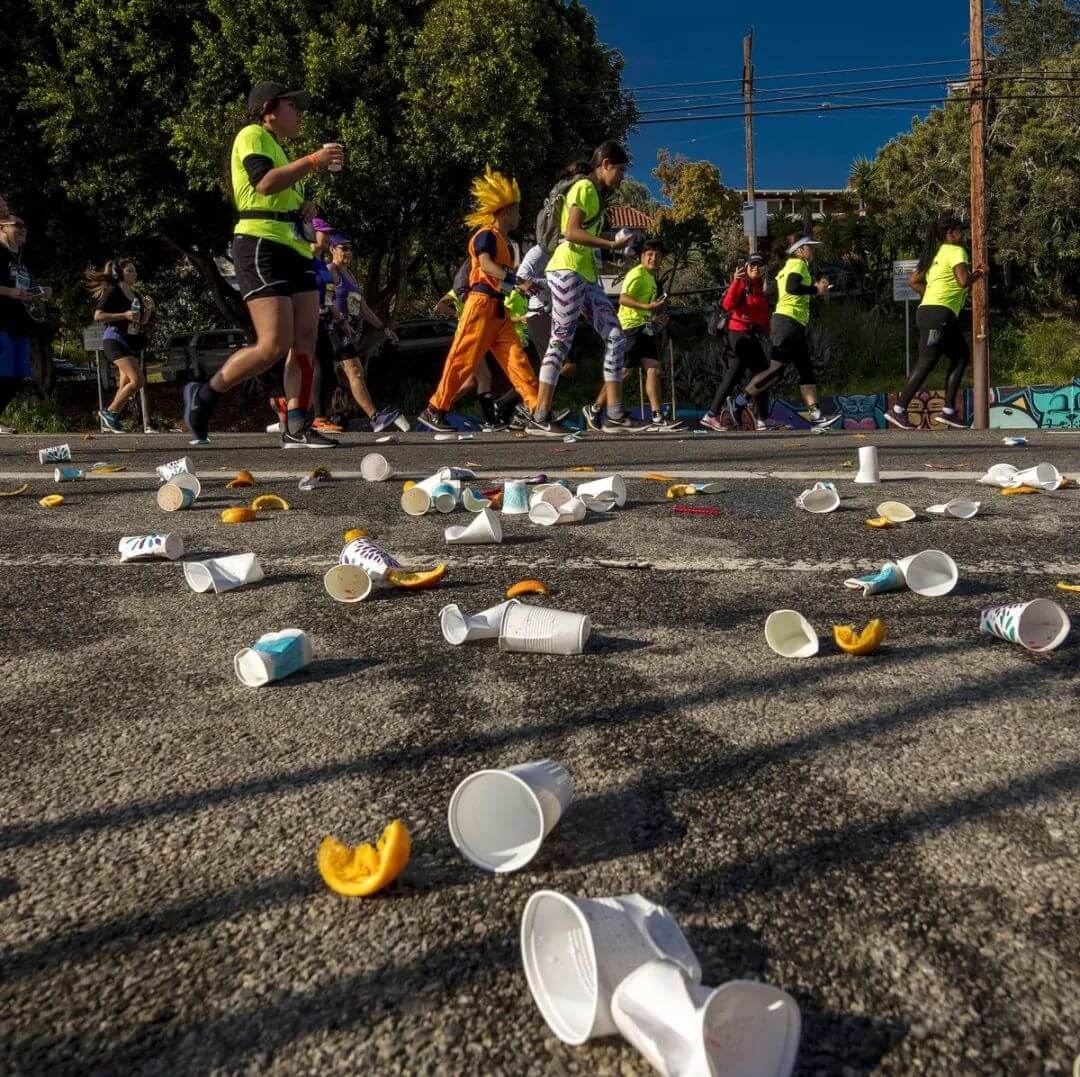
<point x="892" y="840"/>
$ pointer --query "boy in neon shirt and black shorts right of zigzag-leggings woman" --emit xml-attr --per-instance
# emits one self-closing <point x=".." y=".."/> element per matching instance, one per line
<point x="638" y="303"/>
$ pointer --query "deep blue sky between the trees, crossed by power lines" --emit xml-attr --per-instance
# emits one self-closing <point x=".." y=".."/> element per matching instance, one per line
<point x="690" y="41"/>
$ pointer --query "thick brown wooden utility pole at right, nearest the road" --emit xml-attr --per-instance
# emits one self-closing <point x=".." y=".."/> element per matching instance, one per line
<point x="980" y="248"/>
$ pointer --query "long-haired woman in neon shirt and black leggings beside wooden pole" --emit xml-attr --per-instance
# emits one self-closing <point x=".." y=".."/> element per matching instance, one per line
<point x="942" y="278"/>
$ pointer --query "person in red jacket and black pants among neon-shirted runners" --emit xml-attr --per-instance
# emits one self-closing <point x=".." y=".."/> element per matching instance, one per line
<point x="748" y="342"/>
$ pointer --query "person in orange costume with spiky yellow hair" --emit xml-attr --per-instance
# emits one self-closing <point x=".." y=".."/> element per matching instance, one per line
<point x="484" y="326"/>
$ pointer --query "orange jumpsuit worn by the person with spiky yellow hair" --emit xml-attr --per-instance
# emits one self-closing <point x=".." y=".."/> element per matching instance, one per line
<point x="484" y="328"/>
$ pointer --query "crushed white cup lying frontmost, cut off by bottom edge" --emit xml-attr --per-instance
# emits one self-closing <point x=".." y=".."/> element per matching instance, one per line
<point x="685" y="1030"/>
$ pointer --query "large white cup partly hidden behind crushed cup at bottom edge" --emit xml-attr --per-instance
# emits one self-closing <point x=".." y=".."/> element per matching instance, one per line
<point x="577" y="951"/>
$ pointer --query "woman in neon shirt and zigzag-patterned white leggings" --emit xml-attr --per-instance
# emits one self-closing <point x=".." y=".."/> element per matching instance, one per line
<point x="573" y="278"/>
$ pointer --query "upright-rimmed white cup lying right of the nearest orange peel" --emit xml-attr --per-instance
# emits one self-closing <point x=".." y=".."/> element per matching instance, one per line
<point x="499" y="819"/>
